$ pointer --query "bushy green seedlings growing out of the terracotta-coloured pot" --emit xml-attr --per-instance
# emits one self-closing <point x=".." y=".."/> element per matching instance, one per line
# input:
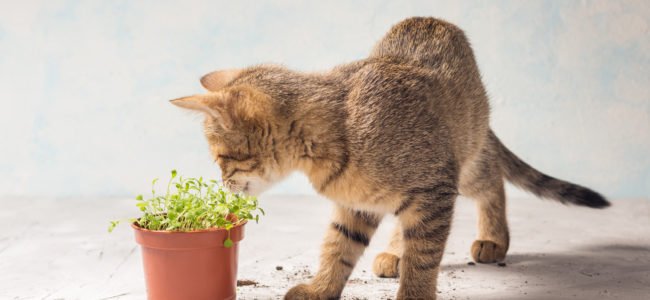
<point x="191" y="204"/>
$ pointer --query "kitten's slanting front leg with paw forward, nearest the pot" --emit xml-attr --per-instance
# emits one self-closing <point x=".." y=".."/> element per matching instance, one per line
<point x="348" y="236"/>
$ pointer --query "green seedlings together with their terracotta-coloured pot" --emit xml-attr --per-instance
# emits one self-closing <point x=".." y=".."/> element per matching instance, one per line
<point x="189" y="237"/>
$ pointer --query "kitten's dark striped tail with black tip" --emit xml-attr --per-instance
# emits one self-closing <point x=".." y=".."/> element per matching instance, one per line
<point x="526" y="177"/>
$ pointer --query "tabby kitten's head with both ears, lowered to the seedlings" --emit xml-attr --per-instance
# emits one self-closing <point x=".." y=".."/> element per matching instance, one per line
<point x="242" y="132"/>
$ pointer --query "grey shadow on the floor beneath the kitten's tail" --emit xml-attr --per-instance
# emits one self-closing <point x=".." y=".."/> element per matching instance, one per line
<point x="620" y="271"/>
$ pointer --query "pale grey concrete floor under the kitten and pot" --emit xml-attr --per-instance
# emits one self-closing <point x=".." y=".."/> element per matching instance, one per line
<point x="59" y="249"/>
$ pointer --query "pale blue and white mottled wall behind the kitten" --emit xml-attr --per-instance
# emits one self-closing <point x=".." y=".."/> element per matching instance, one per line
<point x="84" y="85"/>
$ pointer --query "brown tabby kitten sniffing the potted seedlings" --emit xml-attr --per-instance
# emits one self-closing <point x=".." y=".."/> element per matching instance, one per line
<point x="402" y="132"/>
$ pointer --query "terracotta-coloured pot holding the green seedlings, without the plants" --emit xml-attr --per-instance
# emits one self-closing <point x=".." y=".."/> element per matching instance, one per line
<point x="189" y="265"/>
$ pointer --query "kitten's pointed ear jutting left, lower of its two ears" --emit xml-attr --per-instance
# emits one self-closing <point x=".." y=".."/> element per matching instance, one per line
<point x="213" y="105"/>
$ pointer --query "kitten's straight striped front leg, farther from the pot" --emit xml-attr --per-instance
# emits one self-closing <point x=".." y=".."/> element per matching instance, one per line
<point x="425" y="218"/>
